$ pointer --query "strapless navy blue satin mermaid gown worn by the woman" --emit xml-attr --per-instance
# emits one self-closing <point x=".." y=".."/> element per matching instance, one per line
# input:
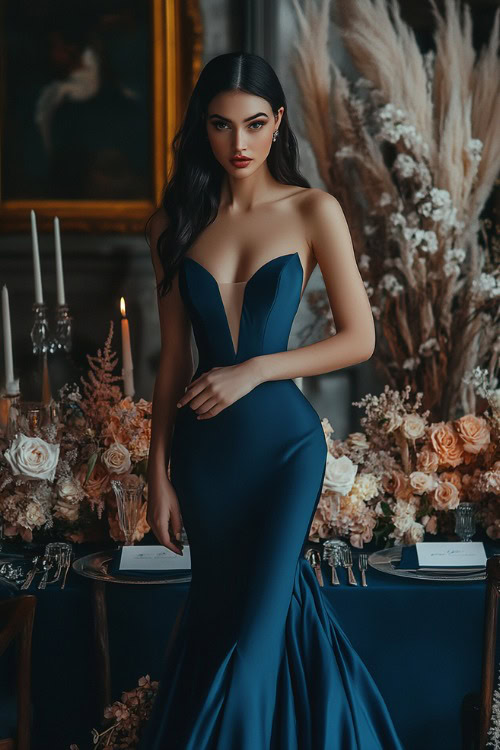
<point x="259" y="662"/>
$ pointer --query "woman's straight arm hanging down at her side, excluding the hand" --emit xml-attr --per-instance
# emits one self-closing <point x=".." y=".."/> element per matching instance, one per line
<point x="176" y="362"/>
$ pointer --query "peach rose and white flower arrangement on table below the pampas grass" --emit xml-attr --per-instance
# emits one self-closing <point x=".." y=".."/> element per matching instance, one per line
<point x="400" y="477"/>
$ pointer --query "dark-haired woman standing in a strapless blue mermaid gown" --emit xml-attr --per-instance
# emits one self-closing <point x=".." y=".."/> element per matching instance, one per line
<point x="259" y="661"/>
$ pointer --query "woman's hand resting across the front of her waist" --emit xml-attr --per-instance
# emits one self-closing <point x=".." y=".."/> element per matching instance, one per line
<point x="220" y="387"/>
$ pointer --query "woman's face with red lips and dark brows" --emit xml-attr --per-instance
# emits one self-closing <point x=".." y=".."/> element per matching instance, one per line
<point x="240" y="124"/>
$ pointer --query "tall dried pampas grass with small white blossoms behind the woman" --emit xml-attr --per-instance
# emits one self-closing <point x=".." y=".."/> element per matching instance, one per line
<point x="411" y="152"/>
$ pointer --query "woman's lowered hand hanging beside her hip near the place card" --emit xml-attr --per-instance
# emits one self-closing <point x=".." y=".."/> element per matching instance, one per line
<point x="163" y="509"/>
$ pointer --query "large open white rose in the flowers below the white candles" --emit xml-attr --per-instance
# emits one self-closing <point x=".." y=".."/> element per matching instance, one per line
<point x="33" y="457"/>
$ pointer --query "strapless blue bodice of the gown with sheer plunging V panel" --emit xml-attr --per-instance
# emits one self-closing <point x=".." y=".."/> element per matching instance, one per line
<point x="233" y="321"/>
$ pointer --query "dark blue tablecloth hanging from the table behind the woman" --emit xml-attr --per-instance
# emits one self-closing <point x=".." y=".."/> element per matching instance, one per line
<point x="421" y="640"/>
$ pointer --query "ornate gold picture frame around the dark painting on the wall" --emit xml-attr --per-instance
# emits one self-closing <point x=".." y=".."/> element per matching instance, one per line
<point x="175" y="50"/>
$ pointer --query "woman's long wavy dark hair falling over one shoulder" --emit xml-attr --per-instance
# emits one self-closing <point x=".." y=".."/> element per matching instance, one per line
<point x="192" y="194"/>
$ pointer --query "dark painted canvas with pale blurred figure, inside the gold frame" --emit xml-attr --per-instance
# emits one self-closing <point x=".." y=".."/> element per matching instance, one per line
<point x="76" y="100"/>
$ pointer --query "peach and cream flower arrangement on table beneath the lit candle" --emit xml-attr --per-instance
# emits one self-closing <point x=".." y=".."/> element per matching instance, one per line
<point x="57" y="481"/>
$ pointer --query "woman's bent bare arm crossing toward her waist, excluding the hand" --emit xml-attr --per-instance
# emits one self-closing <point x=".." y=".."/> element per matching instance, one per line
<point x="354" y="340"/>
